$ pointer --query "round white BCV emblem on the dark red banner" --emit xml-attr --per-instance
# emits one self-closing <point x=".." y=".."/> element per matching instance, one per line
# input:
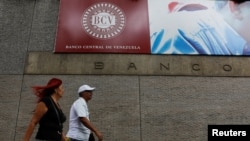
<point x="103" y="20"/>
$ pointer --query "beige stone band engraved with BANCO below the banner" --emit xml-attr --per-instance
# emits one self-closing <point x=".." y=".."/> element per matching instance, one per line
<point x="136" y="64"/>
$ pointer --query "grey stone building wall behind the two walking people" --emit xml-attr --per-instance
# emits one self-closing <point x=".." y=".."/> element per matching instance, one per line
<point x="143" y="105"/>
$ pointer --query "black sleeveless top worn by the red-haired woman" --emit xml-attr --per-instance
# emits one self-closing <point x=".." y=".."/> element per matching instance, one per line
<point x="51" y="125"/>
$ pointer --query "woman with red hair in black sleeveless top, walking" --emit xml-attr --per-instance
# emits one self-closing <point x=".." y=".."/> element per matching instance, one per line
<point x="48" y="113"/>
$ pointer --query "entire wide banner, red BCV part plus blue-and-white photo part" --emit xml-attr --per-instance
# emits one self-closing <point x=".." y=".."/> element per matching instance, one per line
<point x="189" y="27"/>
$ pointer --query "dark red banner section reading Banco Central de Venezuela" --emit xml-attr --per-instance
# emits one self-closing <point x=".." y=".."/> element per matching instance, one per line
<point x="97" y="26"/>
